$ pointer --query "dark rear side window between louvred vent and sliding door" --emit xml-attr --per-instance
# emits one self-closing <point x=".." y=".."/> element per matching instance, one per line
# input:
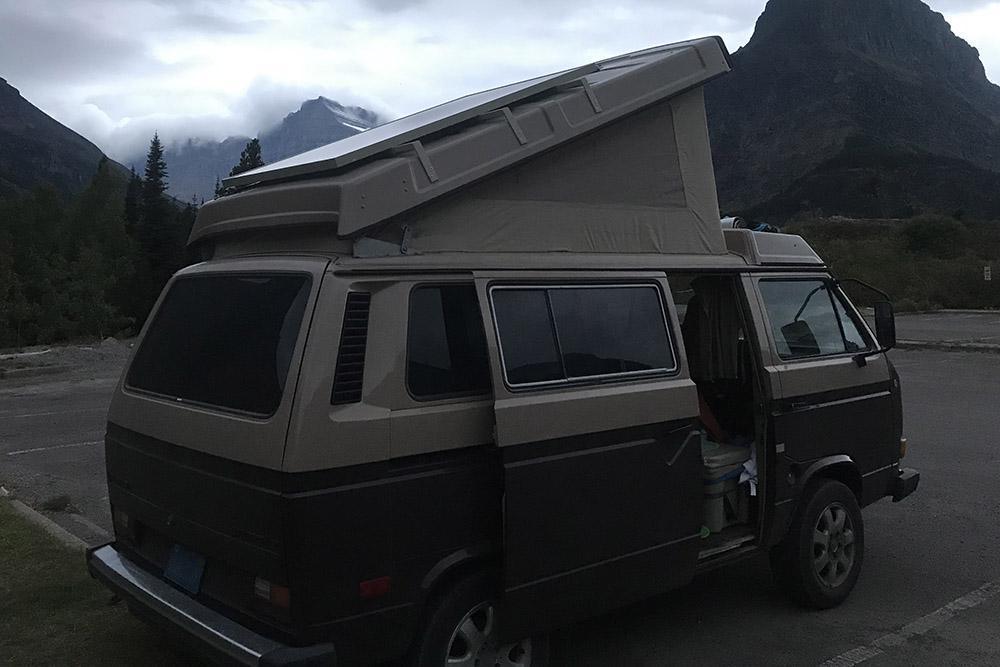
<point x="446" y="346"/>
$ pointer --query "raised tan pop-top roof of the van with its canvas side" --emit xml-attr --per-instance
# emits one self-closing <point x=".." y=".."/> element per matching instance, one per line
<point x="615" y="160"/>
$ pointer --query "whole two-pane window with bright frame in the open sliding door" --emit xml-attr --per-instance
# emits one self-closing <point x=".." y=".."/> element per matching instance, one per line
<point x="561" y="334"/>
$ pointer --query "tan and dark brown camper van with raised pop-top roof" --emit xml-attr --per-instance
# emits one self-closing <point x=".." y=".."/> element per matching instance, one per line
<point x="446" y="385"/>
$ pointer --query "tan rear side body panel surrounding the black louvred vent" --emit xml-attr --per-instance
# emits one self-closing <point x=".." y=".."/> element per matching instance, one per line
<point x="388" y="422"/>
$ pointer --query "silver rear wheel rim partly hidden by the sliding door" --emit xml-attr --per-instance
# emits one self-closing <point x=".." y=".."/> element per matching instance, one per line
<point x="473" y="643"/>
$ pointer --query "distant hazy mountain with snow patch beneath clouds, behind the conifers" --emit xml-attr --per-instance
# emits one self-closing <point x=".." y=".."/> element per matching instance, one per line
<point x="194" y="165"/>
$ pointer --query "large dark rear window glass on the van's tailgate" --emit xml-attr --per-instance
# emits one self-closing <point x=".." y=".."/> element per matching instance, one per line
<point x="223" y="341"/>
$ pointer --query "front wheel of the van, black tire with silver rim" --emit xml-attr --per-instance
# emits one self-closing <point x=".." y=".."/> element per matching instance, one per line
<point x="819" y="561"/>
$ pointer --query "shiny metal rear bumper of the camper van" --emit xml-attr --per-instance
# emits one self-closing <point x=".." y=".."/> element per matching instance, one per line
<point x="224" y="639"/>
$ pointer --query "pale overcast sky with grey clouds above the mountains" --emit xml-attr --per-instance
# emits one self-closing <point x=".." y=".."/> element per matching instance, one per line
<point x="117" y="71"/>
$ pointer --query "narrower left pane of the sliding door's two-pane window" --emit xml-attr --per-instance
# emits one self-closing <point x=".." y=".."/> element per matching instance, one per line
<point x="526" y="337"/>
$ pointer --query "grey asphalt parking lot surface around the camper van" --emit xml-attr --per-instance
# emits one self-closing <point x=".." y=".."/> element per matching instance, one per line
<point x="929" y="593"/>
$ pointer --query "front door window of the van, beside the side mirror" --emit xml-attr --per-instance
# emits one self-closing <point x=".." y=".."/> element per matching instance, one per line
<point x="804" y="320"/>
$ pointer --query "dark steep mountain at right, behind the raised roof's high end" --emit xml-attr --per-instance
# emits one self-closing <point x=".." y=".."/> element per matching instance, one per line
<point x="855" y="107"/>
